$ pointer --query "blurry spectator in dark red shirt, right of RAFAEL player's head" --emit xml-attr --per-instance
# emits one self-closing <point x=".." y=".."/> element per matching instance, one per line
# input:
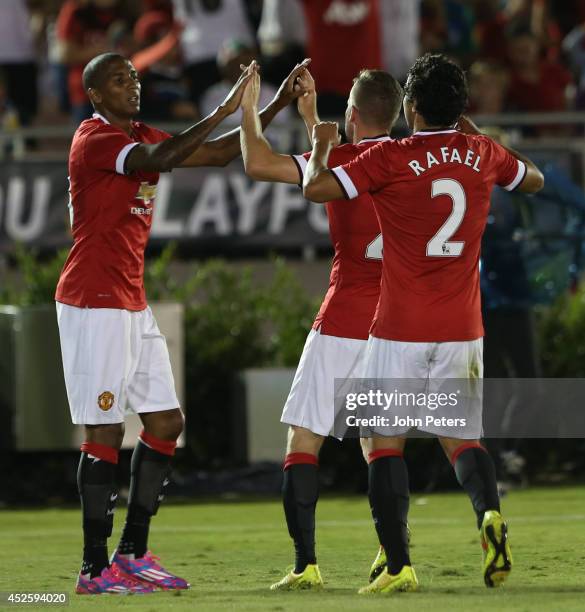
<point x="535" y="85"/>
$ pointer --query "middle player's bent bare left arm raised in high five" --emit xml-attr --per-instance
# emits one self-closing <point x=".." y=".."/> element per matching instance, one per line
<point x="260" y="161"/>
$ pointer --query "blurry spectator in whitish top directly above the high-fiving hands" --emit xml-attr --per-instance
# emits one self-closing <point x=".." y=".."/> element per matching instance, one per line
<point x="282" y="35"/>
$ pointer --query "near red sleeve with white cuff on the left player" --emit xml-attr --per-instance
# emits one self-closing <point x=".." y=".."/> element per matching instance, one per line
<point x="107" y="149"/>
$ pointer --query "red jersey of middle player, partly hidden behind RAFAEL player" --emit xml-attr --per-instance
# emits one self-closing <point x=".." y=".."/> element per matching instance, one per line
<point x="354" y="284"/>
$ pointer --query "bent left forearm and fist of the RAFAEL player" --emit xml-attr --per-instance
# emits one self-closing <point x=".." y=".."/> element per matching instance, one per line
<point x="319" y="185"/>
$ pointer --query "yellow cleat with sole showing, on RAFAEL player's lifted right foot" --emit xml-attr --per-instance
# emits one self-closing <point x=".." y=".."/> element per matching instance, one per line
<point x="497" y="557"/>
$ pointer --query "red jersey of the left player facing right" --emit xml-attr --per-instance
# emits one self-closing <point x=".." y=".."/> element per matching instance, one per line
<point x="111" y="215"/>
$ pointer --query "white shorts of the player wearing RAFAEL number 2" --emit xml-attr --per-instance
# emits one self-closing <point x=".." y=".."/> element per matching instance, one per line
<point x="429" y="368"/>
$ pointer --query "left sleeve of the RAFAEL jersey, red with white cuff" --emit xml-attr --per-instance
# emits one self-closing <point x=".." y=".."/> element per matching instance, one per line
<point x="370" y="171"/>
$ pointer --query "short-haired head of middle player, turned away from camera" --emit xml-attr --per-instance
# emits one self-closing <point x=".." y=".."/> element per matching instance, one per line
<point x="378" y="97"/>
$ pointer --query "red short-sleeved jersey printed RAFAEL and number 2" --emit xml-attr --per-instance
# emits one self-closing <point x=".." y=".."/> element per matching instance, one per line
<point x="431" y="193"/>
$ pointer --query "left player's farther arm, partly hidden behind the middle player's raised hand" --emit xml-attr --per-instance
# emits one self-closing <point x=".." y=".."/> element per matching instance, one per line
<point x="222" y="150"/>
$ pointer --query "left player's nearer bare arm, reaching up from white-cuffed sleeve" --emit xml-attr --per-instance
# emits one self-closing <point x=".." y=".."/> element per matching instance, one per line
<point x="170" y="153"/>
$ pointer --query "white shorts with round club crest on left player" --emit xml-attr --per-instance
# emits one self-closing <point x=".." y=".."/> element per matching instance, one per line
<point x="115" y="361"/>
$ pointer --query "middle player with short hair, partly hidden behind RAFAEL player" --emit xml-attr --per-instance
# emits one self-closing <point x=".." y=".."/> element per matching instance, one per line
<point x="335" y="345"/>
